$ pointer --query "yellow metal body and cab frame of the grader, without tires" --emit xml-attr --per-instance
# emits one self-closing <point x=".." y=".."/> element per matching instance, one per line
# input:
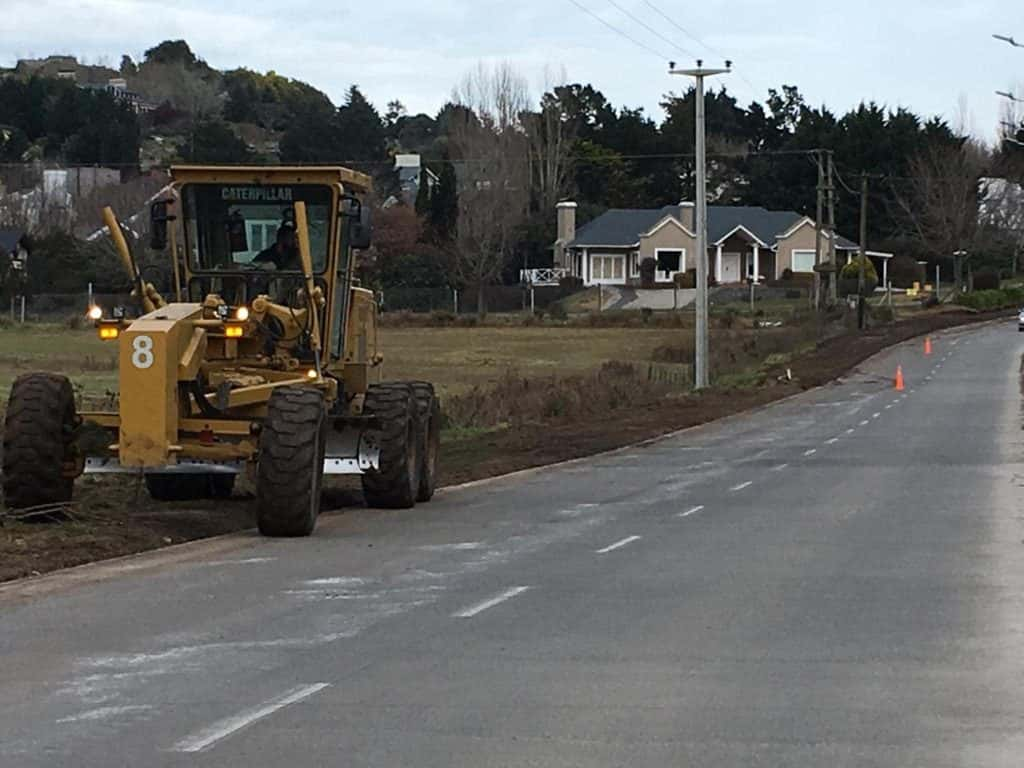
<point x="182" y="343"/>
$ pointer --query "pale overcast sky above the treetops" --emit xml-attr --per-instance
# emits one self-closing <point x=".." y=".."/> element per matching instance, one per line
<point x="930" y="56"/>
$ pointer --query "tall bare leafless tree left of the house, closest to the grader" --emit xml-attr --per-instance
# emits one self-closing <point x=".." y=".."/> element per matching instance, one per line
<point x="490" y="147"/>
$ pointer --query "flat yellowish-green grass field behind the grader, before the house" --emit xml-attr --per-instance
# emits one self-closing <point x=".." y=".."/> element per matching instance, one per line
<point x="455" y="359"/>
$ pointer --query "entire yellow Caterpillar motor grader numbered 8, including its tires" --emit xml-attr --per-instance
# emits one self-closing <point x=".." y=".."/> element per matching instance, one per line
<point x="265" y="360"/>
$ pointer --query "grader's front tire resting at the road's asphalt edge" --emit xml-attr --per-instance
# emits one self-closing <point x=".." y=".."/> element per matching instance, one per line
<point x="290" y="473"/>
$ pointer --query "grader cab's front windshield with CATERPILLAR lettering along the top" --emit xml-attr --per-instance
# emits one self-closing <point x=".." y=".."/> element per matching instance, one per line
<point x="242" y="228"/>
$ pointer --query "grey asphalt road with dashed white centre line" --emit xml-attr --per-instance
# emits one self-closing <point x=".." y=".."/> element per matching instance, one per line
<point x="837" y="580"/>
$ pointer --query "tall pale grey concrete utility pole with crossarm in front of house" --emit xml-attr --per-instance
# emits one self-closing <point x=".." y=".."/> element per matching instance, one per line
<point x="701" y="363"/>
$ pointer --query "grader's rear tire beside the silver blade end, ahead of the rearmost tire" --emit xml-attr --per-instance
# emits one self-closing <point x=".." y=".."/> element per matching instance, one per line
<point x="397" y="484"/>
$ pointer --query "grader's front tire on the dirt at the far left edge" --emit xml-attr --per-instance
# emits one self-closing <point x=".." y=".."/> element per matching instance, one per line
<point x="39" y="442"/>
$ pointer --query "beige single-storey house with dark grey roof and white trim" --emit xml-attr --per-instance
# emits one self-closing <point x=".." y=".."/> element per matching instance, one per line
<point x="746" y="243"/>
